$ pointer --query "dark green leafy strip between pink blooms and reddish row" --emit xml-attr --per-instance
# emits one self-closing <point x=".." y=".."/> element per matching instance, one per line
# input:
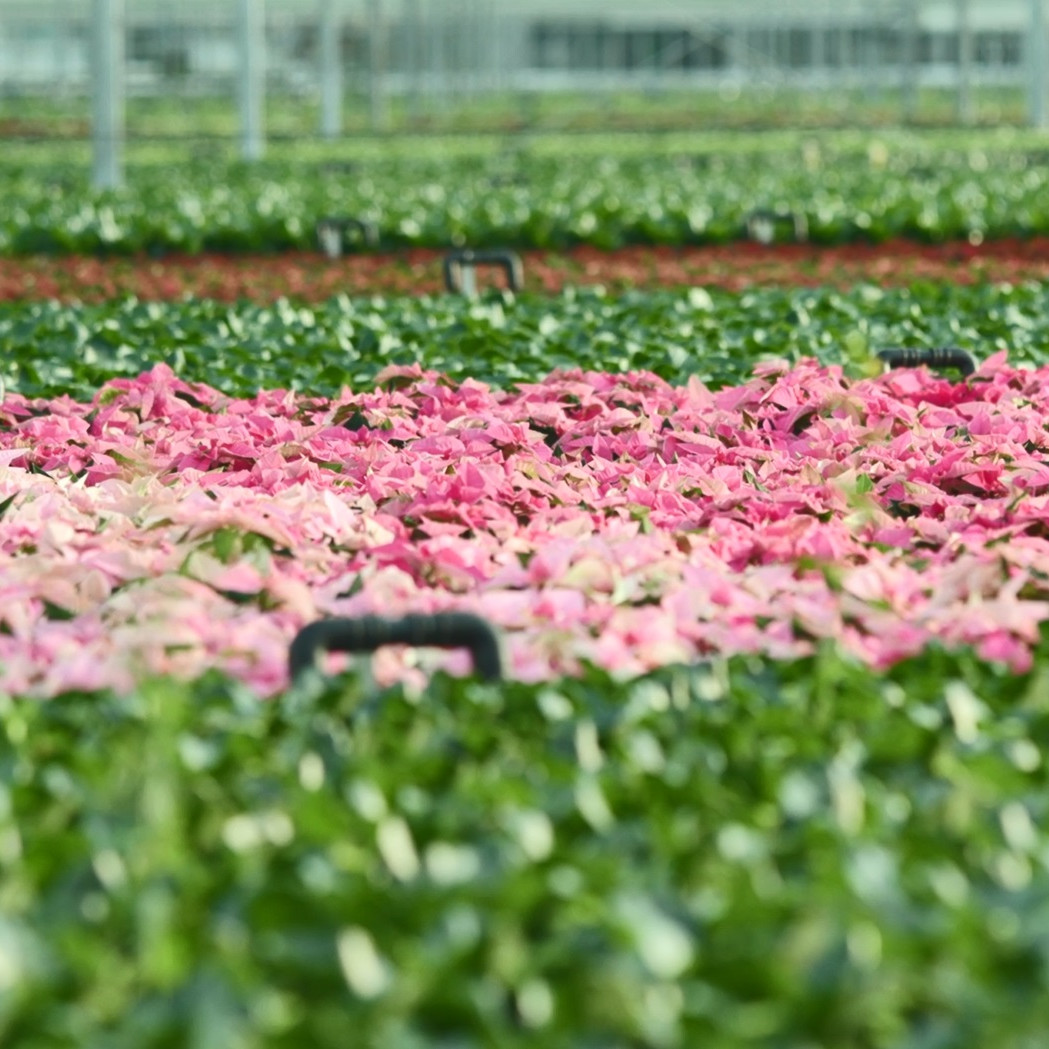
<point x="49" y="349"/>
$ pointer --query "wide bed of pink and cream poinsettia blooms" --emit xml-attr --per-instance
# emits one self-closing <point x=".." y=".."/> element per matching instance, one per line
<point x="614" y="520"/>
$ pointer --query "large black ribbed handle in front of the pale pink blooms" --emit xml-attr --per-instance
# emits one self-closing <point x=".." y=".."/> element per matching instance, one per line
<point x="443" y="630"/>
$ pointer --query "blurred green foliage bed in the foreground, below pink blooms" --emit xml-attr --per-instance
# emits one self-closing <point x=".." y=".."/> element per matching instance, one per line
<point x="744" y="855"/>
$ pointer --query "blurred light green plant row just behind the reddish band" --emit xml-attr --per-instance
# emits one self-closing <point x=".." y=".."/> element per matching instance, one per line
<point x="534" y="200"/>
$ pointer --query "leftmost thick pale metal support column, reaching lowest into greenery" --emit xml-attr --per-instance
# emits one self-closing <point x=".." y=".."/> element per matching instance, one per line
<point x="108" y="94"/>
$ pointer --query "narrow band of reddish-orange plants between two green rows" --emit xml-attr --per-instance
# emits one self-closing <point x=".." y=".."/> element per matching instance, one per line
<point x="309" y="277"/>
